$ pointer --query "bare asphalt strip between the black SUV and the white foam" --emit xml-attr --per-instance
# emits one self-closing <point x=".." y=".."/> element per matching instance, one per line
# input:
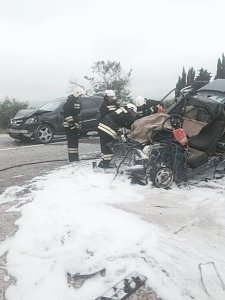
<point x="22" y="161"/>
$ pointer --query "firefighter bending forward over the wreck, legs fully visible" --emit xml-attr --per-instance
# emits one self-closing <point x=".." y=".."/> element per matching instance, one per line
<point x="108" y="128"/>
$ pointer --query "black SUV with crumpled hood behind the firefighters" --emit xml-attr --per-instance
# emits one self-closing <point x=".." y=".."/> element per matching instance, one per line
<point x="45" y="122"/>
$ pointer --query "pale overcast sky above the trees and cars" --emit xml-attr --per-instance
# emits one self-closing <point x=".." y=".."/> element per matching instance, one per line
<point x="45" y="43"/>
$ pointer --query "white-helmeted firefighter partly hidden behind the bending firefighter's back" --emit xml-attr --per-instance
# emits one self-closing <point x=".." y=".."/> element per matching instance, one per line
<point x="109" y="104"/>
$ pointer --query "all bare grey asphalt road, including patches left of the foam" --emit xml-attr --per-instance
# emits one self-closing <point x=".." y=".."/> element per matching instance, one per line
<point x="19" y="163"/>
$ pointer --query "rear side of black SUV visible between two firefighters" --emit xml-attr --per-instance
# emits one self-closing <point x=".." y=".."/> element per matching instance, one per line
<point x="89" y="113"/>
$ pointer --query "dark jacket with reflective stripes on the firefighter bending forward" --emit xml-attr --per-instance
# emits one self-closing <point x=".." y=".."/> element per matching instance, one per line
<point x="115" y="120"/>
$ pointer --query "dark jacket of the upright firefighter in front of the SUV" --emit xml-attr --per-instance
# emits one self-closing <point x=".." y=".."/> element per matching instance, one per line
<point x="71" y="110"/>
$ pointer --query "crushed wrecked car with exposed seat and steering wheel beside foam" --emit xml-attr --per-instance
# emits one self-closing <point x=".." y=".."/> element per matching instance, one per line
<point x="185" y="143"/>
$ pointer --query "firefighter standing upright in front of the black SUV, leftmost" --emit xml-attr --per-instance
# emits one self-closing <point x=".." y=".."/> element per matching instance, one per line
<point x="71" y="124"/>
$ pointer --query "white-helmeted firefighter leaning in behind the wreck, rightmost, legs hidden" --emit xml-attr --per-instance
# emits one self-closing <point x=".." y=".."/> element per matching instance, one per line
<point x="146" y="107"/>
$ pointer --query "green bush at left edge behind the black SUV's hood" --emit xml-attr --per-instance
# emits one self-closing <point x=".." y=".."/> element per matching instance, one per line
<point x="8" y="109"/>
